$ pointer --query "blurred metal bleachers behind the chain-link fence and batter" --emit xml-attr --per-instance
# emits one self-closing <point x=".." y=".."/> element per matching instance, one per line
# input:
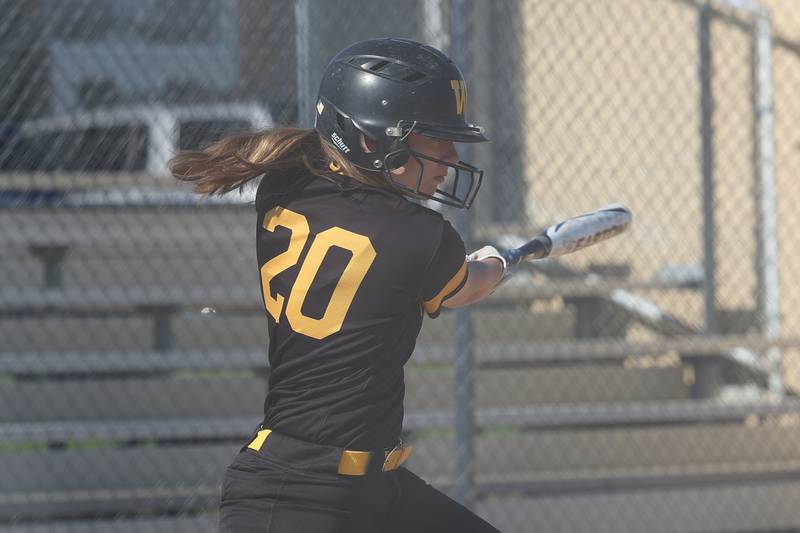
<point x="134" y="366"/>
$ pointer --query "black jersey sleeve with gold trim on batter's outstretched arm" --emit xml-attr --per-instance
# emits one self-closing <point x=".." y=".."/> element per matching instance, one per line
<point x="446" y="272"/>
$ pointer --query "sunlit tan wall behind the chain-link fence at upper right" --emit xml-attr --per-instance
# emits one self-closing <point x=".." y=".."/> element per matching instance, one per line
<point x="613" y="114"/>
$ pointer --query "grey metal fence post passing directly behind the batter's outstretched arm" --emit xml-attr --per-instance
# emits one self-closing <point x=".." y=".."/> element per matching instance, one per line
<point x="463" y="491"/>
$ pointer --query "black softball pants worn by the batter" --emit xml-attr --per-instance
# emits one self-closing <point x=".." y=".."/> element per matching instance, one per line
<point x="286" y="488"/>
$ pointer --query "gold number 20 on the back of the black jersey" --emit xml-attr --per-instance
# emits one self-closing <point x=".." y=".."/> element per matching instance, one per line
<point x="363" y="255"/>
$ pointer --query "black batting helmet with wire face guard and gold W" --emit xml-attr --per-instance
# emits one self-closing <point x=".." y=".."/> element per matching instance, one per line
<point x="387" y="89"/>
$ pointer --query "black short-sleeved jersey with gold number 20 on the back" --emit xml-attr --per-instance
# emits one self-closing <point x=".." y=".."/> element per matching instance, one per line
<point x="346" y="273"/>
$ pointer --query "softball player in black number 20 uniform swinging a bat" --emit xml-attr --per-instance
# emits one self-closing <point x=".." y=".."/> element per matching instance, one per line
<point x="349" y="264"/>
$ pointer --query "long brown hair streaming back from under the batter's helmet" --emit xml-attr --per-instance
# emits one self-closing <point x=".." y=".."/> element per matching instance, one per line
<point x="277" y="154"/>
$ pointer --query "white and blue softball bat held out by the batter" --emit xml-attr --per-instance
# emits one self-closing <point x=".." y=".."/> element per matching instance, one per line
<point x="572" y="234"/>
